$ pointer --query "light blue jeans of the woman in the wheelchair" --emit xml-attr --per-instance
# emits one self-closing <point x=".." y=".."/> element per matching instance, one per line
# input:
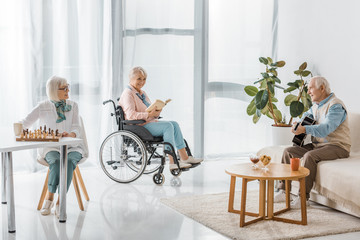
<point x="169" y="130"/>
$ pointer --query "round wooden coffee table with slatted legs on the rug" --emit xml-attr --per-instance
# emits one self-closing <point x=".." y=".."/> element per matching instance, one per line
<point x="277" y="171"/>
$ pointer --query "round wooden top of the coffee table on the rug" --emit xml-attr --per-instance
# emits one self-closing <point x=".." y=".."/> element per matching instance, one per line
<point x="277" y="171"/>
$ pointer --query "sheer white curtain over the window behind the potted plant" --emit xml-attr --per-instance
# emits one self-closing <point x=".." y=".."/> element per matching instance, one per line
<point x="239" y="33"/>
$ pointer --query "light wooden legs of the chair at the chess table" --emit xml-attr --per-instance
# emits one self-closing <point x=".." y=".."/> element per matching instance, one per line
<point x="76" y="178"/>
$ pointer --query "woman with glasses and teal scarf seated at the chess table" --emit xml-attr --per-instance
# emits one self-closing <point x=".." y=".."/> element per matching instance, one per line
<point x="57" y="113"/>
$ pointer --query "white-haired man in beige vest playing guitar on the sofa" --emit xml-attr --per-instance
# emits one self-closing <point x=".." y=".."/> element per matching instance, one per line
<point x="330" y="135"/>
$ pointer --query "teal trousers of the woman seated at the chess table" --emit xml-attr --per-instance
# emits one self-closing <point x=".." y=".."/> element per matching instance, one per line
<point x="53" y="159"/>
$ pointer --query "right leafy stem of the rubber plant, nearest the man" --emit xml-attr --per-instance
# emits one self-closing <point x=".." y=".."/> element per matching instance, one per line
<point x="302" y="102"/>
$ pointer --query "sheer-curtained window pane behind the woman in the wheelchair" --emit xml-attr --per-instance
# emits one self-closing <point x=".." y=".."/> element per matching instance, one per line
<point x="159" y="36"/>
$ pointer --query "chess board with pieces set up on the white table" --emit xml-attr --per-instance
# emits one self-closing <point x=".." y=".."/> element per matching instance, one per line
<point x="39" y="135"/>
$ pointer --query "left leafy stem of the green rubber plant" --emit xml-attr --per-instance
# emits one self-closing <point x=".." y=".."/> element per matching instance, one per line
<point x="264" y="99"/>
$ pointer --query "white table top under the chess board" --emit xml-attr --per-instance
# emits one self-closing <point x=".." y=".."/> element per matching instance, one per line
<point x="8" y="142"/>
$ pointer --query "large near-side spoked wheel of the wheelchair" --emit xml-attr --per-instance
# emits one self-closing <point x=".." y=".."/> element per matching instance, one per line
<point x="119" y="153"/>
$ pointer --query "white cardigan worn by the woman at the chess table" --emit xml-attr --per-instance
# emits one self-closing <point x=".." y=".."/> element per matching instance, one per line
<point x="45" y="112"/>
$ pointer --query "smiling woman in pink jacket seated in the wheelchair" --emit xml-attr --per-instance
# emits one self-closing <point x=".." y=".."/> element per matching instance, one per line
<point x="134" y="102"/>
